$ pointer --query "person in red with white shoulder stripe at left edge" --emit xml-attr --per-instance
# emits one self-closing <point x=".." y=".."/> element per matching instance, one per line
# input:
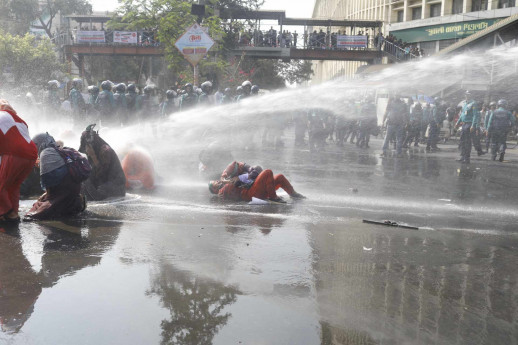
<point x="18" y="155"/>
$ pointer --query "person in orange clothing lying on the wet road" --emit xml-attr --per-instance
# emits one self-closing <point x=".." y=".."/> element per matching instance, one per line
<point x="263" y="187"/>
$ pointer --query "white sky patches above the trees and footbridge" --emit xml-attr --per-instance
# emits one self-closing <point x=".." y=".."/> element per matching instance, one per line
<point x="293" y="8"/>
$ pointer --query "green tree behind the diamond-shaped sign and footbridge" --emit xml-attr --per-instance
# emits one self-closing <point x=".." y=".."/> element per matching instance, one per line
<point x="170" y="18"/>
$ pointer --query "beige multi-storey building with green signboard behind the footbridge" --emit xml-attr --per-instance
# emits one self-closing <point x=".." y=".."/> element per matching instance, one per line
<point x="432" y="25"/>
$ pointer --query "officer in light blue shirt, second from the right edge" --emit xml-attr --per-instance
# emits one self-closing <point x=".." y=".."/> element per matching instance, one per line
<point x="468" y="121"/>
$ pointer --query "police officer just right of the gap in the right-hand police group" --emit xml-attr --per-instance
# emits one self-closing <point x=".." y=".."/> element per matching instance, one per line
<point x="396" y="118"/>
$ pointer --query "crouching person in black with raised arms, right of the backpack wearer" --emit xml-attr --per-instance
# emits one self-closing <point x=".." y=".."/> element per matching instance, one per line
<point x="107" y="178"/>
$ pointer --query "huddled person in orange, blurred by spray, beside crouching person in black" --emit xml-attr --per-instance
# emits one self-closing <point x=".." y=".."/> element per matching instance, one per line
<point x="138" y="168"/>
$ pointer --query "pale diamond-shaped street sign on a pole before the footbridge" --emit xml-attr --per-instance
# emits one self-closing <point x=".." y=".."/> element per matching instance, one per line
<point x="194" y="44"/>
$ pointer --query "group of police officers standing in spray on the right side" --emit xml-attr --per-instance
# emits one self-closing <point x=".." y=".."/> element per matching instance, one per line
<point x="408" y="123"/>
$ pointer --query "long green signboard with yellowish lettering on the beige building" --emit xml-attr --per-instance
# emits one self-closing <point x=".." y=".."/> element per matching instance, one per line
<point x="443" y="32"/>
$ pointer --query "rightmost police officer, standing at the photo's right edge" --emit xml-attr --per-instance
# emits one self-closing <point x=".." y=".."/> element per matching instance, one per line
<point x="501" y="121"/>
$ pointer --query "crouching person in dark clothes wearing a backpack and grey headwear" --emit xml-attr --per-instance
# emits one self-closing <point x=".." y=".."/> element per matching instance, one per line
<point x="62" y="197"/>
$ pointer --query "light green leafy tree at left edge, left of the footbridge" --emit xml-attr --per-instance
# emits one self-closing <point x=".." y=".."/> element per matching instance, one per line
<point x="29" y="59"/>
